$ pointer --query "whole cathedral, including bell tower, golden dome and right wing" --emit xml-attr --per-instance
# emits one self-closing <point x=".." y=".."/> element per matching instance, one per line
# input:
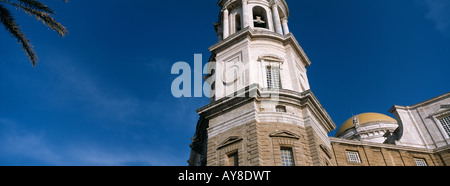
<point x="263" y="113"/>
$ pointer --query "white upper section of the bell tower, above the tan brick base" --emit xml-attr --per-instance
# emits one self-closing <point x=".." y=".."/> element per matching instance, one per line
<point x="255" y="41"/>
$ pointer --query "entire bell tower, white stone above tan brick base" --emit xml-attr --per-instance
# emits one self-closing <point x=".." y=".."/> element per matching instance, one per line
<point x="262" y="111"/>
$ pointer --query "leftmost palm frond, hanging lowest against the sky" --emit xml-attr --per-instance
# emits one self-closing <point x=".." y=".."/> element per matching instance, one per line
<point x="11" y="26"/>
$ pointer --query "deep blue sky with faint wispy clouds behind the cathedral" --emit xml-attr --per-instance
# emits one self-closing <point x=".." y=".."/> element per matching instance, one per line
<point x="101" y="95"/>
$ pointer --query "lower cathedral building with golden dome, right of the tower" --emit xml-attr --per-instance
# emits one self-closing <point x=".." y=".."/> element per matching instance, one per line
<point x="419" y="136"/>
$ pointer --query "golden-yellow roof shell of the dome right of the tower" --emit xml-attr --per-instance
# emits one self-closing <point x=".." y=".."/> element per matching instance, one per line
<point x="364" y="119"/>
